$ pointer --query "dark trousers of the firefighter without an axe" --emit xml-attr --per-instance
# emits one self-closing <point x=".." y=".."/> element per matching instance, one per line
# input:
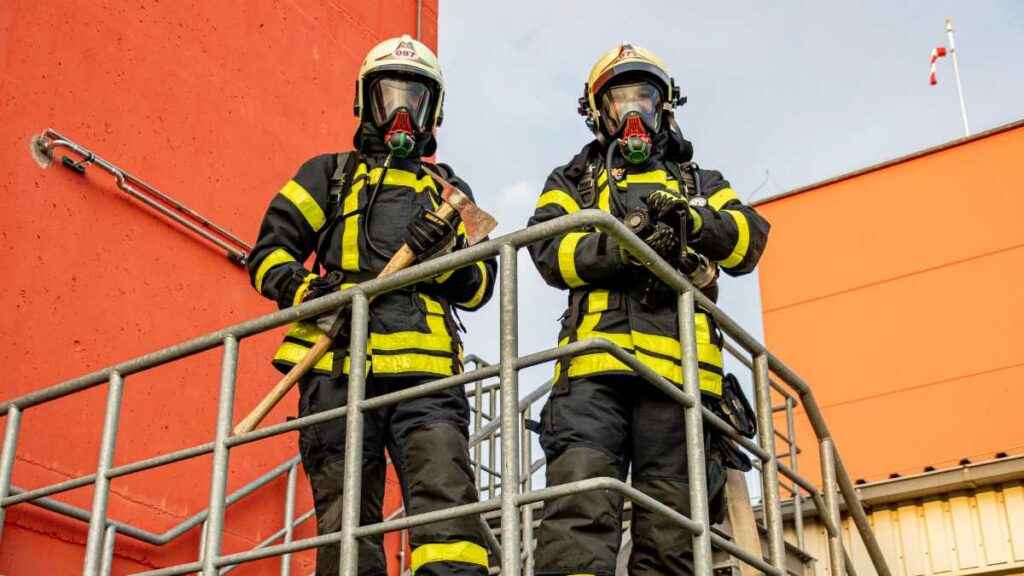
<point x="600" y="427"/>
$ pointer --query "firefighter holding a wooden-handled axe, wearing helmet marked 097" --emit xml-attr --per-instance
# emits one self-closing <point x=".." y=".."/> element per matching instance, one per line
<point x="353" y="212"/>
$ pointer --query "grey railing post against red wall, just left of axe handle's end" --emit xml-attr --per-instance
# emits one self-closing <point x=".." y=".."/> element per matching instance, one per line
<point x="219" y="478"/>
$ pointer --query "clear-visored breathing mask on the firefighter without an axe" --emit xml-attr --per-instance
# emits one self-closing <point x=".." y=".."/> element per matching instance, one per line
<point x="633" y="112"/>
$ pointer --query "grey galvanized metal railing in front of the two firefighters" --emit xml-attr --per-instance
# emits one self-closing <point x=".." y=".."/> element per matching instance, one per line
<point x="514" y="497"/>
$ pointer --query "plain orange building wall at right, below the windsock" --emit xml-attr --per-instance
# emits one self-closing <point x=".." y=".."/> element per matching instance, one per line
<point x="898" y="296"/>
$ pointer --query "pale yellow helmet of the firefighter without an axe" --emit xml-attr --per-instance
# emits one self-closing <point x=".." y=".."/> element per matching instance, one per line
<point x="624" y="60"/>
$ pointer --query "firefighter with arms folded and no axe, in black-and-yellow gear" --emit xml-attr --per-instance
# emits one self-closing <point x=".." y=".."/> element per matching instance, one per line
<point x="602" y="419"/>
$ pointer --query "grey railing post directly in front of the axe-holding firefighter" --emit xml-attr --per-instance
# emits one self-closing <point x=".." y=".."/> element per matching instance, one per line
<point x="353" y="483"/>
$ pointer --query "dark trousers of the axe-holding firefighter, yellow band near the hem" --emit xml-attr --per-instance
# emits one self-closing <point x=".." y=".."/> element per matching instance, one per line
<point x="428" y="439"/>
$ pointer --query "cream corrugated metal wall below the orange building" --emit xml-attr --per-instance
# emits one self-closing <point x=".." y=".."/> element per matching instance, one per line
<point x="961" y="533"/>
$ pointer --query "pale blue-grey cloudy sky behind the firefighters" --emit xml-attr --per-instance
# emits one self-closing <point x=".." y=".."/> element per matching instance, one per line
<point x="782" y="95"/>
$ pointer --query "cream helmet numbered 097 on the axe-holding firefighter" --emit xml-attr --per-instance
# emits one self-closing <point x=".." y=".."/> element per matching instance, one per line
<point x="404" y="56"/>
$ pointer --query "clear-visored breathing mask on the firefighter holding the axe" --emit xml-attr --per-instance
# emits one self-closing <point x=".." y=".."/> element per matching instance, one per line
<point x="402" y="107"/>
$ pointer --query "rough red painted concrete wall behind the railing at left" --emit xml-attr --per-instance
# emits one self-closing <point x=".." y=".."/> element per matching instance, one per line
<point x="217" y="104"/>
